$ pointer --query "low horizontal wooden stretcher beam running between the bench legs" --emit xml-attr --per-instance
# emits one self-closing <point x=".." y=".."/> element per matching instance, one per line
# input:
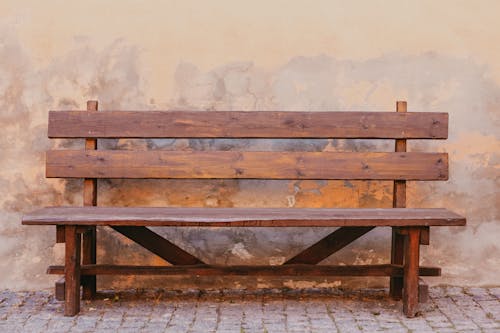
<point x="264" y="270"/>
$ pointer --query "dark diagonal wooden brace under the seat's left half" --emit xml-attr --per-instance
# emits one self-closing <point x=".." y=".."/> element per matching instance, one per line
<point x="158" y="245"/>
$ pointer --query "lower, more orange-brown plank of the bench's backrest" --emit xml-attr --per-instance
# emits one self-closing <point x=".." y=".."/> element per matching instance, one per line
<point x="246" y="165"/>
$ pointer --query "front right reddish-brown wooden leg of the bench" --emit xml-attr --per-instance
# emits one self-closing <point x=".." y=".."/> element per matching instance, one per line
<point x="410" y="271"/>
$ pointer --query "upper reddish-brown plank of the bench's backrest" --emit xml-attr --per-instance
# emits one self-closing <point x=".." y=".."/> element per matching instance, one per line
<point x="254" y="124"/>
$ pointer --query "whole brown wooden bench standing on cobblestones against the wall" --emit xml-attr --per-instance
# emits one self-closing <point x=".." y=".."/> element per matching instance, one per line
<point x="76" y="226"/>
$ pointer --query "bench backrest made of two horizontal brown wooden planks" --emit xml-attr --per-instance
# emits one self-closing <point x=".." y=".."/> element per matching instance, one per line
<point x="398" y="165"/>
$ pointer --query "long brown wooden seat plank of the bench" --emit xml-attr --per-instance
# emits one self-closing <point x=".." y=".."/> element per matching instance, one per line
<point x="242" y="217"/>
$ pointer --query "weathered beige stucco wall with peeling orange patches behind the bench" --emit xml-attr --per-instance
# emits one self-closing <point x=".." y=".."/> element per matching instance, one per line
<point x="326" y="55"/>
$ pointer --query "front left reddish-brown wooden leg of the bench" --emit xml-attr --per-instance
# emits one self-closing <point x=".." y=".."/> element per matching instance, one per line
<point x="72" y="271"/>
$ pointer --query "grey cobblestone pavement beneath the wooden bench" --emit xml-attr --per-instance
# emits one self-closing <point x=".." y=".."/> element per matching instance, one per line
<point x="450" y="309"/>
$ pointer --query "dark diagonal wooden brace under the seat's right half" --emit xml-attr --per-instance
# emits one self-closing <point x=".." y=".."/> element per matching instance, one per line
<point x="332" y="243"/>
